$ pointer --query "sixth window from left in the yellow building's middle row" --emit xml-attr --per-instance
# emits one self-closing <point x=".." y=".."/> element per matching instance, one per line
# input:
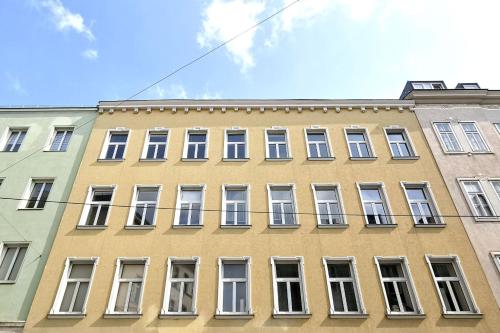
<point x="329" y="210"/>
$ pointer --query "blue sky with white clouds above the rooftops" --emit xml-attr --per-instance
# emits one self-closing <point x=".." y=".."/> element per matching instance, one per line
<point x="69" y="52"/>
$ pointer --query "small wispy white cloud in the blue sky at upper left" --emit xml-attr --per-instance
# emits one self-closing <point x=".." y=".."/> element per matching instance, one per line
<point x="64" y="19"/>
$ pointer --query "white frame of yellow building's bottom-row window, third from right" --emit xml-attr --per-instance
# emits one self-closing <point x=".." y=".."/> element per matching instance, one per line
<point x="351" y="261"/>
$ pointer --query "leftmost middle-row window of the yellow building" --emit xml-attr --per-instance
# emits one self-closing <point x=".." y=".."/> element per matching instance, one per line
<point x="97" y="206"/>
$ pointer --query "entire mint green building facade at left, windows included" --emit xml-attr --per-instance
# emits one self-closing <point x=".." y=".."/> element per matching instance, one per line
<point x="40" y="153"/>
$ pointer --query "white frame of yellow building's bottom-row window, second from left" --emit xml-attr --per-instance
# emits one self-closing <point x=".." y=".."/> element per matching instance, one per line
<point x="110" y="310"/>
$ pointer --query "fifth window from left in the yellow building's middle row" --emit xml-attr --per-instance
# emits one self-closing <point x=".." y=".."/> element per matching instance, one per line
<point x="282" y="204"/>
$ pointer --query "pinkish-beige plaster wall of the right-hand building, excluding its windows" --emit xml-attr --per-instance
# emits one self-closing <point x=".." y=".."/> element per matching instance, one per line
<point x="485" y="236"/>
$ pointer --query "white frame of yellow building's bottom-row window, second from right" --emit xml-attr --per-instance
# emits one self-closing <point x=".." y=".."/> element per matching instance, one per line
<point x="403" y="261"/>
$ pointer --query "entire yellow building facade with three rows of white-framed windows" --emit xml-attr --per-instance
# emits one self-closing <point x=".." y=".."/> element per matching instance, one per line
<point x="261" y="216"/>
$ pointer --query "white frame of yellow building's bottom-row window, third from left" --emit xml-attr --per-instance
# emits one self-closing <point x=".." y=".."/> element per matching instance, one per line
<point x="168" y="285"/>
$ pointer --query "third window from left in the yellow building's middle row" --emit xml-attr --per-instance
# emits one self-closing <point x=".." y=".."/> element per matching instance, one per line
<point x="189" y="206"/>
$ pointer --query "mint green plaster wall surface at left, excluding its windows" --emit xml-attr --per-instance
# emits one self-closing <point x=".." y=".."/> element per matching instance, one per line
<point x="38" y="227"/>
